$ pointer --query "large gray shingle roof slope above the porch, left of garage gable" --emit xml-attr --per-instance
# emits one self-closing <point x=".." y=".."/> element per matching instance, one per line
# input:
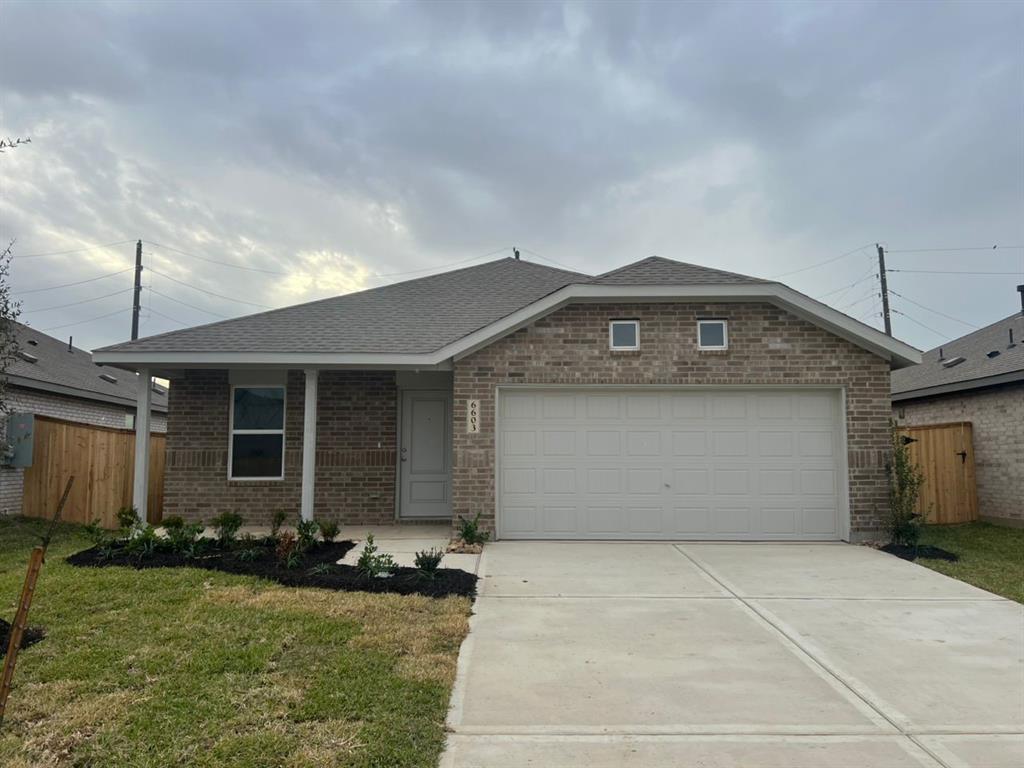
<point x="414" y="317"/>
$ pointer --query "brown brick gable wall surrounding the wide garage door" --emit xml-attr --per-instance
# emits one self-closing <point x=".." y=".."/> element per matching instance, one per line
<point x="767" y="346"/>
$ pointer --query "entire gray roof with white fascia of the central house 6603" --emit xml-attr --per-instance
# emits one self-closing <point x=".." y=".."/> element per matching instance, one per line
<point x="431" y="322"/>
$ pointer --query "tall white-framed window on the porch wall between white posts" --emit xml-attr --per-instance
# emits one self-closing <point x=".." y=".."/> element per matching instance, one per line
<point x="257" y="451"/>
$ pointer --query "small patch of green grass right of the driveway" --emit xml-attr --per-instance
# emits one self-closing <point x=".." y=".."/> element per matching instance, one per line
<point x="992" y="557"/>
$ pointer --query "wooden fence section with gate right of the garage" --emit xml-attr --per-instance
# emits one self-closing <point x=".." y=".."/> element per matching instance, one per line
<point x="946" y="455"/>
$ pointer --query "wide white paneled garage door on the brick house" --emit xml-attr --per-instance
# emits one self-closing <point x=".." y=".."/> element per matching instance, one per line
<point x="670" y="464"/>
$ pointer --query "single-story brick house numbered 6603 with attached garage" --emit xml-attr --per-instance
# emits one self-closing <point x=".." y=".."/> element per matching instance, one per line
<point x="660" y="401"/>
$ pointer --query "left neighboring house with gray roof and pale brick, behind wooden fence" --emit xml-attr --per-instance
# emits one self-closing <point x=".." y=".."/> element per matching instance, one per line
<point x="51" y="377"/>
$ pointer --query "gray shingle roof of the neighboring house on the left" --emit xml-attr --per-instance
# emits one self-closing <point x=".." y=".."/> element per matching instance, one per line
<point x="67" y="370"/>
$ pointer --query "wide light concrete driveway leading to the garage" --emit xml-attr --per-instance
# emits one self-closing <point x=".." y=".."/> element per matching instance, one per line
<point x="622" y="656"/>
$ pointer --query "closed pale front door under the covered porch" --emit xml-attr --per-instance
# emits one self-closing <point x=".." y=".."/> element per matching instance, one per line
<point x="425" y="454"/>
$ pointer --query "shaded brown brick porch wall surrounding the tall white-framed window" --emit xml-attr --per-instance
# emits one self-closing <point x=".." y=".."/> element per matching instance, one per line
<point x="356" y="451"/>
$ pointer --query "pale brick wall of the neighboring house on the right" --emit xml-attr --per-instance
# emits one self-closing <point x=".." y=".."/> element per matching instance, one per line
<point x="997" y="416"/>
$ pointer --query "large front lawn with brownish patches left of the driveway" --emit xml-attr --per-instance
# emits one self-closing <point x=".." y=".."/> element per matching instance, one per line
<point x="188" y="667"/>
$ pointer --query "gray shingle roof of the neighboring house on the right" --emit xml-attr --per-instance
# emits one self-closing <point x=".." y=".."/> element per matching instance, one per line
<point x="978" y="369"/>
